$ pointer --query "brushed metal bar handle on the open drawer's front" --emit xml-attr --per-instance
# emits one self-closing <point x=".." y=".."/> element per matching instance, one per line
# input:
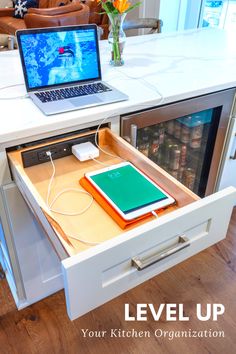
<point x="142" y="263"/>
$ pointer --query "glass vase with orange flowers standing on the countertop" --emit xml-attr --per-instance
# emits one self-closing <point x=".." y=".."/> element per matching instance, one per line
<point x="116" y="11"/>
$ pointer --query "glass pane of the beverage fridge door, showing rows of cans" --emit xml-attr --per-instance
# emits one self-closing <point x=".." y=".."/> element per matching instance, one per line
<point x="183" y="146"/>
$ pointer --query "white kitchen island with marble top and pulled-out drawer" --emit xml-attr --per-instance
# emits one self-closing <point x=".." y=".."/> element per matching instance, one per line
<point x="159" y="70"/>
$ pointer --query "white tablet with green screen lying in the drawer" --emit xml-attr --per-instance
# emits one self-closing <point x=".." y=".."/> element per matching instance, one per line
<point x="130" y="192"/>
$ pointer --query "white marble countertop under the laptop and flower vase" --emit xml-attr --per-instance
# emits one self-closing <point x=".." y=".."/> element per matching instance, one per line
<point x="158" y="69"/>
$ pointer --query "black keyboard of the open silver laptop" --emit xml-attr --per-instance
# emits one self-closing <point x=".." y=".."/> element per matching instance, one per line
<point x="70" y="92"/>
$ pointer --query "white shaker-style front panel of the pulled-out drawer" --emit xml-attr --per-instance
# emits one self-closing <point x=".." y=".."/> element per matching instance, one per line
<point x="96" y="276"/>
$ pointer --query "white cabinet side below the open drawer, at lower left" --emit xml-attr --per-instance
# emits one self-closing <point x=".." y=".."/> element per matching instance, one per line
<point x="37" y="261"/>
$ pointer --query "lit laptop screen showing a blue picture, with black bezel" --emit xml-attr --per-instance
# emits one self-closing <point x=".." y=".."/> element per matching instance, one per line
<point x="59" y="56"/>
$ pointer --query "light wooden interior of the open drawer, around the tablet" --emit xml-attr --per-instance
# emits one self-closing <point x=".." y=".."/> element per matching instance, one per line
<point x="95" y="225"/>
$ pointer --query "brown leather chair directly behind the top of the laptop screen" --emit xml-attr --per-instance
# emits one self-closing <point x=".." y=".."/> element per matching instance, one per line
<point x="71" y="14"/>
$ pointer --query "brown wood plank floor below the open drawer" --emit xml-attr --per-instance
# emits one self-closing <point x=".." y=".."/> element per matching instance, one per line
<point x="209" y="277"/>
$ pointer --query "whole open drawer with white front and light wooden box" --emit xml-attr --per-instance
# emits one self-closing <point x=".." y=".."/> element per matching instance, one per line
<point x="122" y="259"/>
